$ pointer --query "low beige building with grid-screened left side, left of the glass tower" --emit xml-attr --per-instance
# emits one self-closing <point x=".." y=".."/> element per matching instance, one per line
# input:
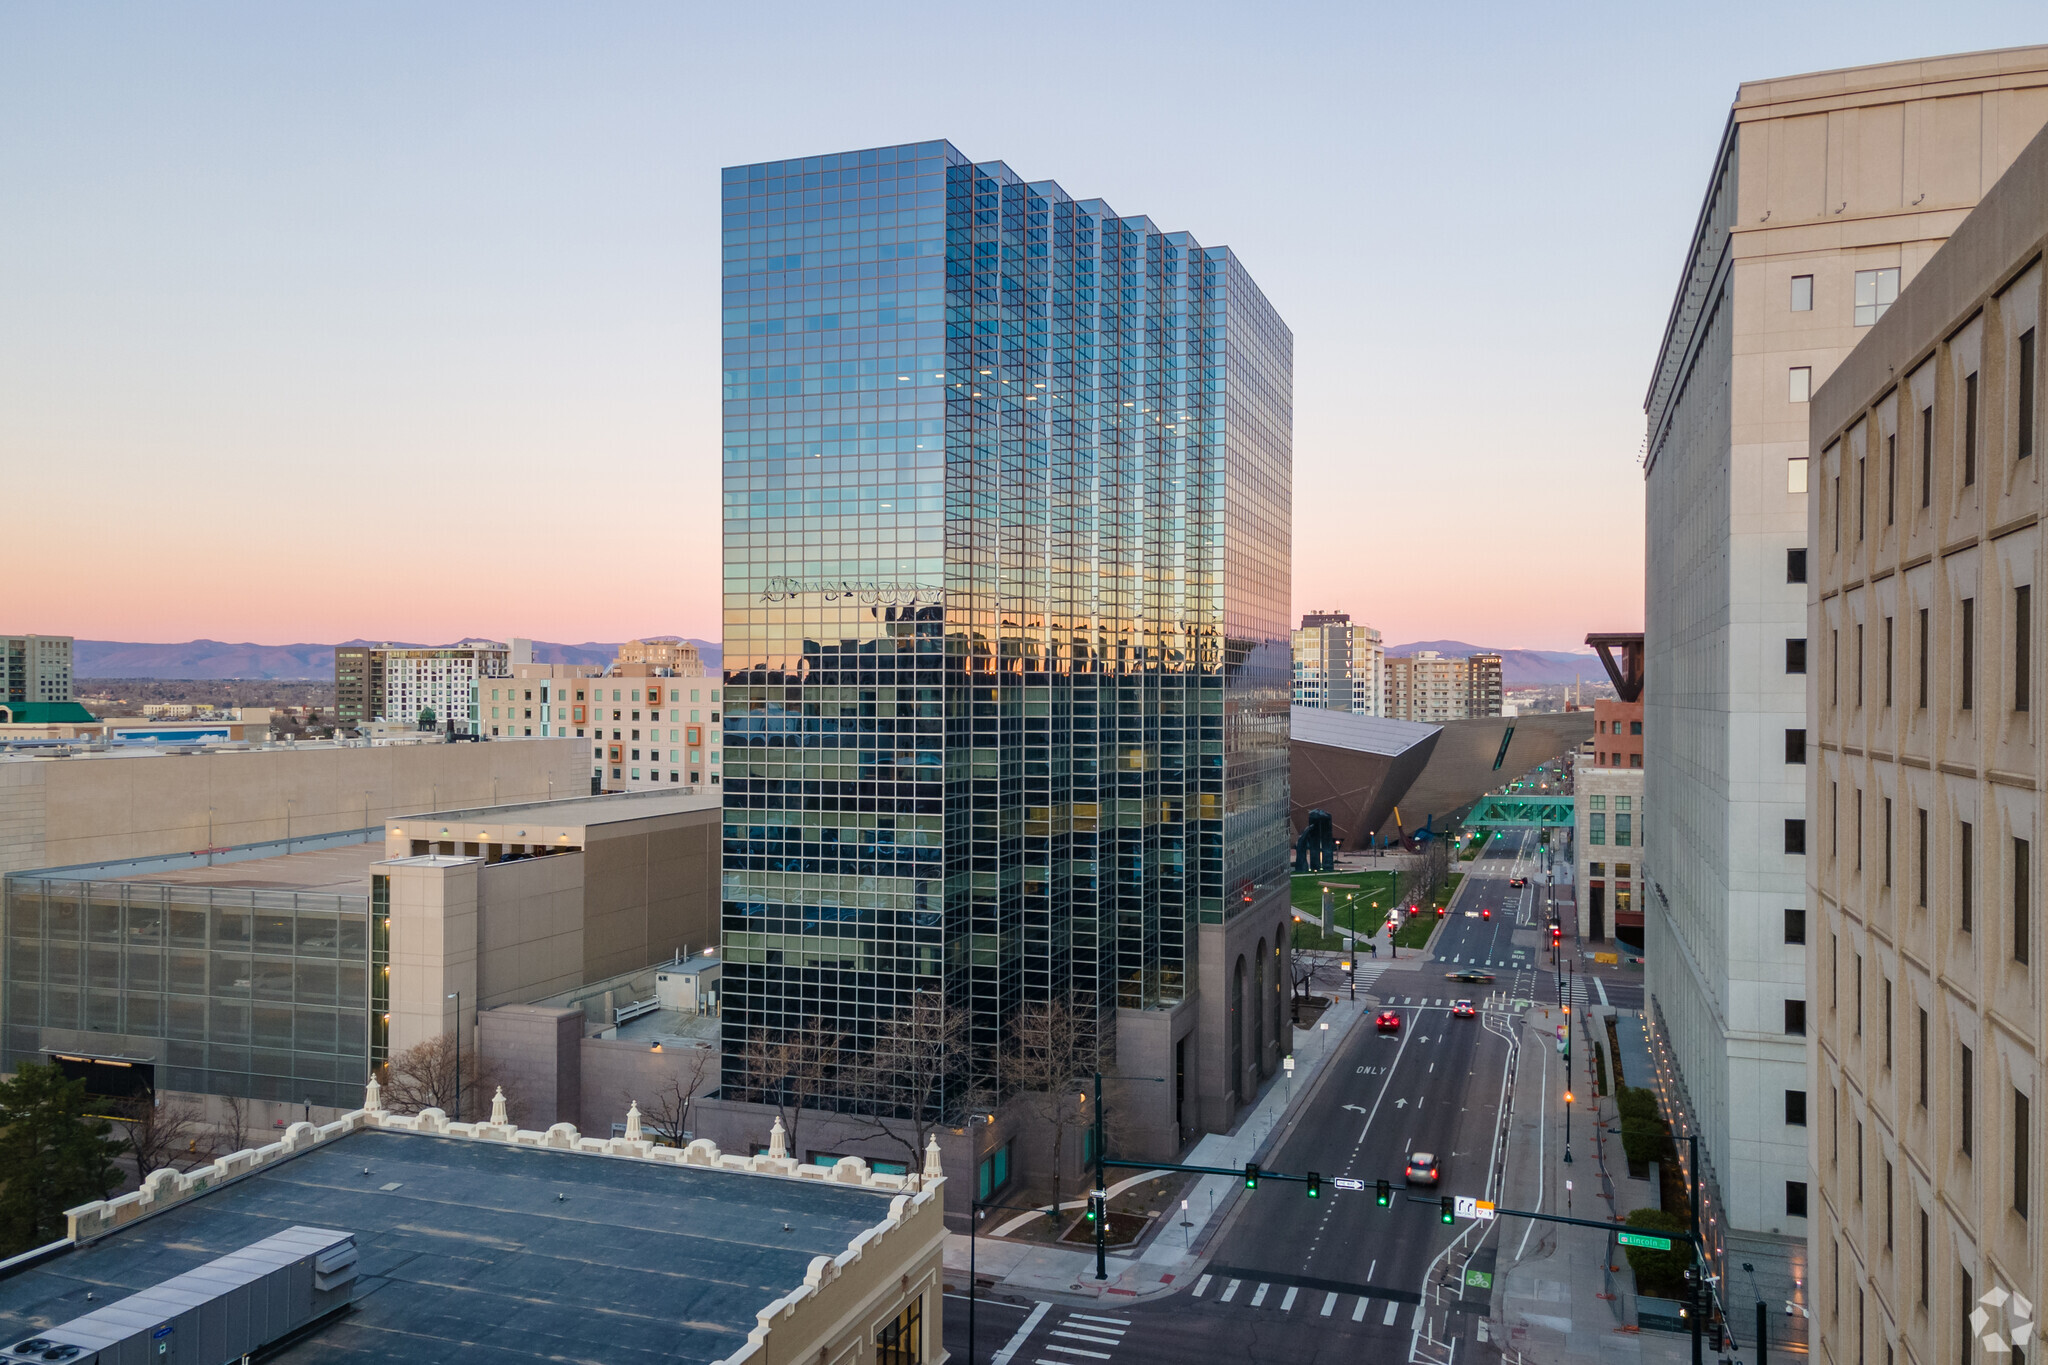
<point x="290" y="971"/>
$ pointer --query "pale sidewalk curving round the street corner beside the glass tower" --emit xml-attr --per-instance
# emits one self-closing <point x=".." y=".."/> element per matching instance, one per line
<point x="1172" y="1249"/>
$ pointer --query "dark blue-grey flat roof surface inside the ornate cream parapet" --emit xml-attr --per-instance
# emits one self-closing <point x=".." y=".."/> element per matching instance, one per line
<point x="476" y="1260"/>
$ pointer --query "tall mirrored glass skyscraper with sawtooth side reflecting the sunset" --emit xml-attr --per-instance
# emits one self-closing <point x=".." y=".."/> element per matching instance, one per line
<point x="1007" y="603"/>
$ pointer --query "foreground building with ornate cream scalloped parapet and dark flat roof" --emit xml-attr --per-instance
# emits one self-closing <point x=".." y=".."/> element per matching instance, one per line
<point x="495" y="1243"/>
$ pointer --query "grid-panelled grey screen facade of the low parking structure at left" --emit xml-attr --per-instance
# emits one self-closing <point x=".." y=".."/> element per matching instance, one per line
<point x="257" y="994"/>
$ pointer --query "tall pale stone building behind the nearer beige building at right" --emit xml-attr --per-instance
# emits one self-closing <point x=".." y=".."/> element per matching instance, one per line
<point x="1826" y="197"/>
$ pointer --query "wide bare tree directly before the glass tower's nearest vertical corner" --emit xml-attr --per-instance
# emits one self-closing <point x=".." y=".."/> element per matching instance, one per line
<point x="904" y="1084"/>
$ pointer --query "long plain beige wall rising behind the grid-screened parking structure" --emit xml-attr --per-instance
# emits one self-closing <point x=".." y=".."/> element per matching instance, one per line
<point x="56" y="813"/>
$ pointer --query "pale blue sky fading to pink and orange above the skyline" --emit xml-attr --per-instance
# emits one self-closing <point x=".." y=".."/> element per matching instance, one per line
<point x="402" y="322"/>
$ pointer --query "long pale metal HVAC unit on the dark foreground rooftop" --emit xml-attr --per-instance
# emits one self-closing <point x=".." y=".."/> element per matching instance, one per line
<point x="218" y="1313"/>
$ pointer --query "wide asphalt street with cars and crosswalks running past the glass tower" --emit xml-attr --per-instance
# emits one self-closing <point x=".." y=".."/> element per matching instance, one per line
<point x="1295" y="1280"/>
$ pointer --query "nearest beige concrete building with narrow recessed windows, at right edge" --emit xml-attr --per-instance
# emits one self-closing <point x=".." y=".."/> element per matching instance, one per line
<point x="1924" y="803"/>
